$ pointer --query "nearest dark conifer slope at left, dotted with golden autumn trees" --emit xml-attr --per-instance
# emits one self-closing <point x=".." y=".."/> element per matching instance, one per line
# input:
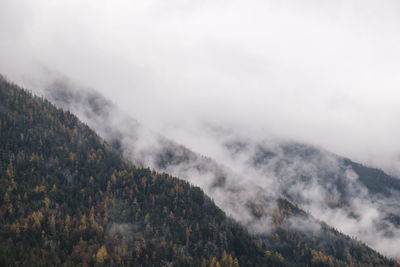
<point x="68" y="198"/>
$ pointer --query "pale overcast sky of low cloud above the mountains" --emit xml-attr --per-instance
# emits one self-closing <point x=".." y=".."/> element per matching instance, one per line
<point x="323" y="72"/>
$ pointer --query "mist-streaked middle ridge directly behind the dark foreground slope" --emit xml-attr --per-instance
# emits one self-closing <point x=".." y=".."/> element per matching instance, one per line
<point x="248" y="197"/>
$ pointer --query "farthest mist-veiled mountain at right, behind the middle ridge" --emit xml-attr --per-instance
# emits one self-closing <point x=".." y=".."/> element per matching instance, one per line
<point x="356" y="199"/>
